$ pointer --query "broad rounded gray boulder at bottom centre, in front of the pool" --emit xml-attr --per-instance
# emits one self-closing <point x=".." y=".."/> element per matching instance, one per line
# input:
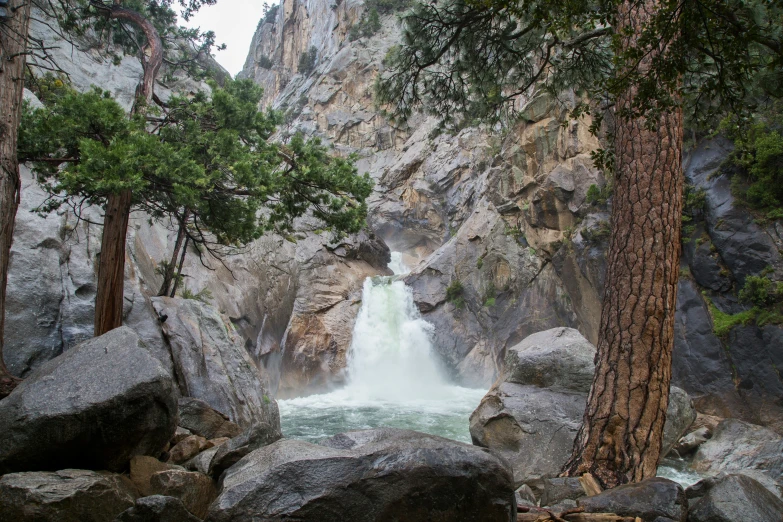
<point x="382" y="474"/>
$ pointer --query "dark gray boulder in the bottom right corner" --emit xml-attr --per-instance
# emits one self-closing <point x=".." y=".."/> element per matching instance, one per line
<point x="730" y="498"/>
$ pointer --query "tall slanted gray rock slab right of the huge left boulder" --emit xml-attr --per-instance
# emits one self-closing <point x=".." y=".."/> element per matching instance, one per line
<point x="212" y="364"/>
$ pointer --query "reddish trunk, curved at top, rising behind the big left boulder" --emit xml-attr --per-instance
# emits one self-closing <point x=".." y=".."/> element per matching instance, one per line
<point x="111" y="267"/>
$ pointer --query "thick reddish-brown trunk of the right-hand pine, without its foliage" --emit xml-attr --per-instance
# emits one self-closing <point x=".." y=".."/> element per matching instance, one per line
<point x="621" y="435"/>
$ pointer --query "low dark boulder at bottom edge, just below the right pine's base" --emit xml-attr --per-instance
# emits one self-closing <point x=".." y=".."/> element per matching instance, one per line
<point x="648" y="500"/>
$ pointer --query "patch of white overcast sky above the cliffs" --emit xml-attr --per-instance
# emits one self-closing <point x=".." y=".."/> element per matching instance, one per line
<point x="234" y="22"/>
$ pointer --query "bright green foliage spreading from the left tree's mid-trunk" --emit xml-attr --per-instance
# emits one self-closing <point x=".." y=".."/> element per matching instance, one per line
<point x="210" y="155"/>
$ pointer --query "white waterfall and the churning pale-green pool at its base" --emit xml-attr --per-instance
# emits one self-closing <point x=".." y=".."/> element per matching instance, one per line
<point x="393" y="378"/>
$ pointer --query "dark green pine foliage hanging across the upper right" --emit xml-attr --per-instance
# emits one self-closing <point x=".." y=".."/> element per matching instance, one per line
<point x="463" y="60"/>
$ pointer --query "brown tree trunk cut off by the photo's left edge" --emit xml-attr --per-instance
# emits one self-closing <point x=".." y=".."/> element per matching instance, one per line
<point x="13" y="46"/>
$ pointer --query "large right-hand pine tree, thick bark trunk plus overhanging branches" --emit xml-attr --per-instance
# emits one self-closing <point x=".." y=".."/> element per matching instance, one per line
<point x="646" y="60"/>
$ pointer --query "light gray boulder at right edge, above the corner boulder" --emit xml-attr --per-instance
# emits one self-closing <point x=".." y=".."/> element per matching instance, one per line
<point x="739" y="447"/>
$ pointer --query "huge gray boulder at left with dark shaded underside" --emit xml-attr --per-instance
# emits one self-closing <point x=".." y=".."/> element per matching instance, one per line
<point x="93" y="407"/>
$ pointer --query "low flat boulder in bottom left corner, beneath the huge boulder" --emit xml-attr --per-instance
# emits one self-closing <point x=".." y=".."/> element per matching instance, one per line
<point x="69" y="495"/>
